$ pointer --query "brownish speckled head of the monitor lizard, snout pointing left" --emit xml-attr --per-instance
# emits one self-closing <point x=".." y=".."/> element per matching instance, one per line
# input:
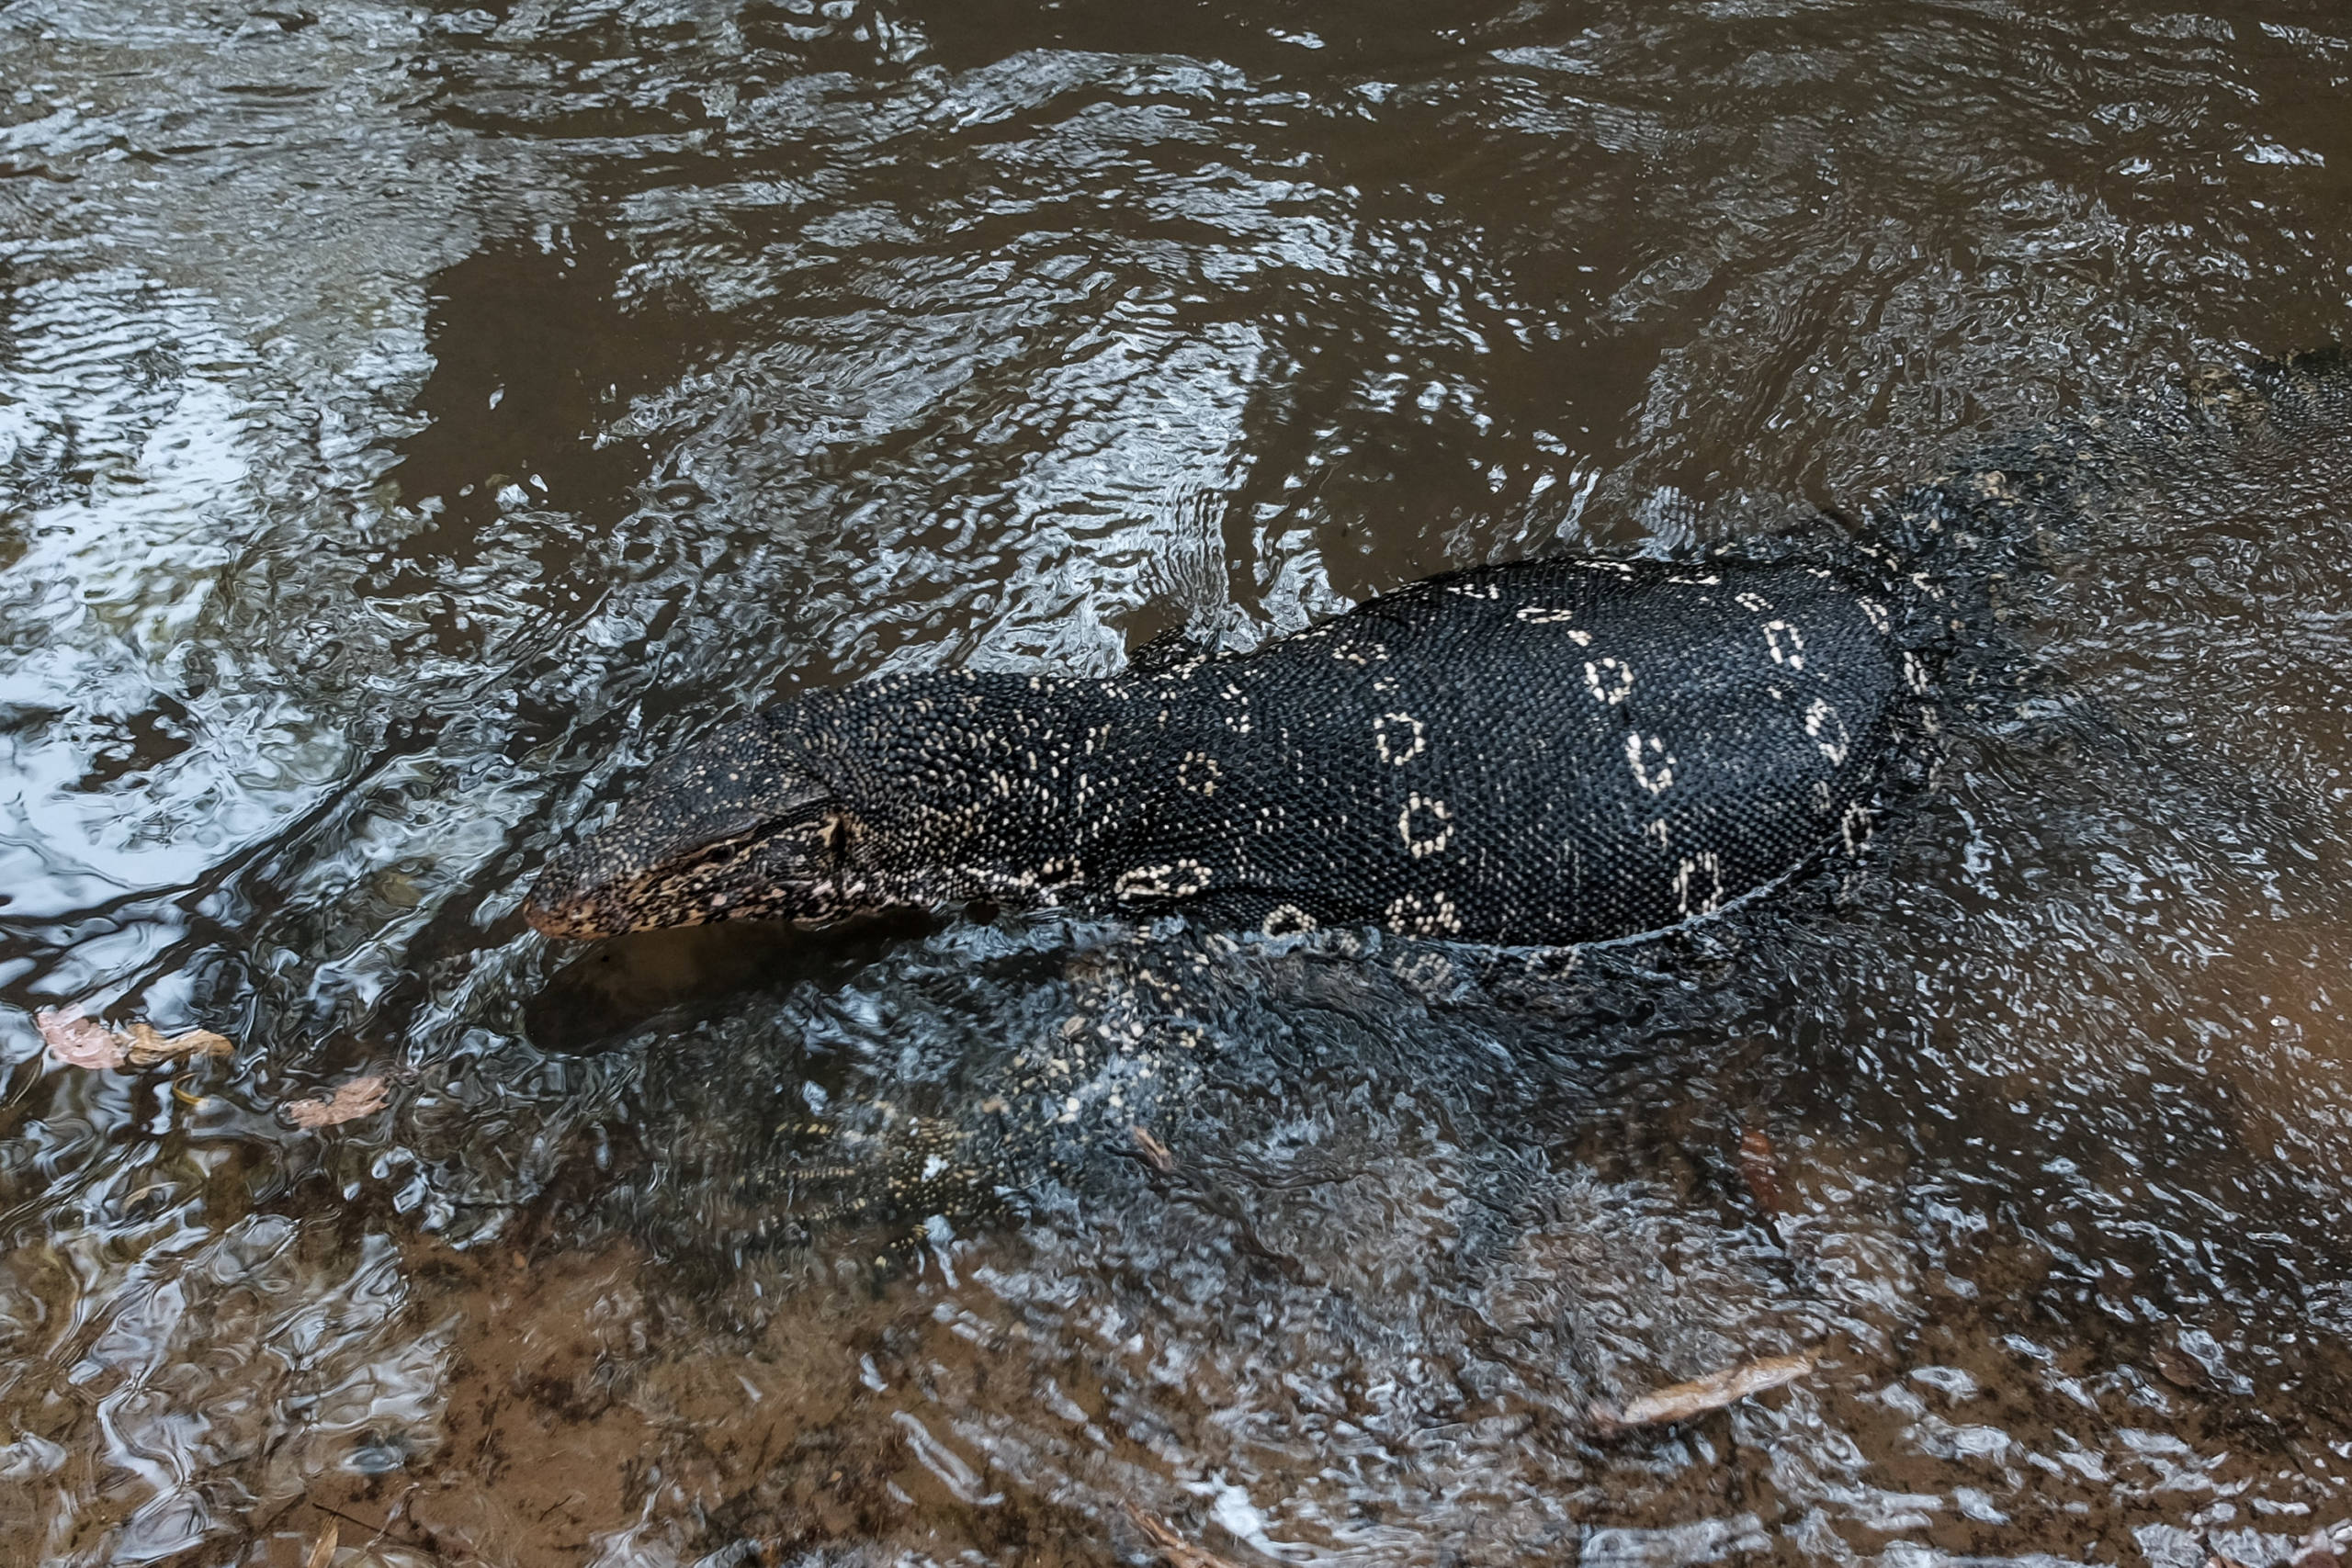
<point x="733" y="829"/>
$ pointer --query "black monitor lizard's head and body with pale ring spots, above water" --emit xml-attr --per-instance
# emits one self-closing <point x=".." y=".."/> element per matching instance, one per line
<point x="1535" y="756"/>
